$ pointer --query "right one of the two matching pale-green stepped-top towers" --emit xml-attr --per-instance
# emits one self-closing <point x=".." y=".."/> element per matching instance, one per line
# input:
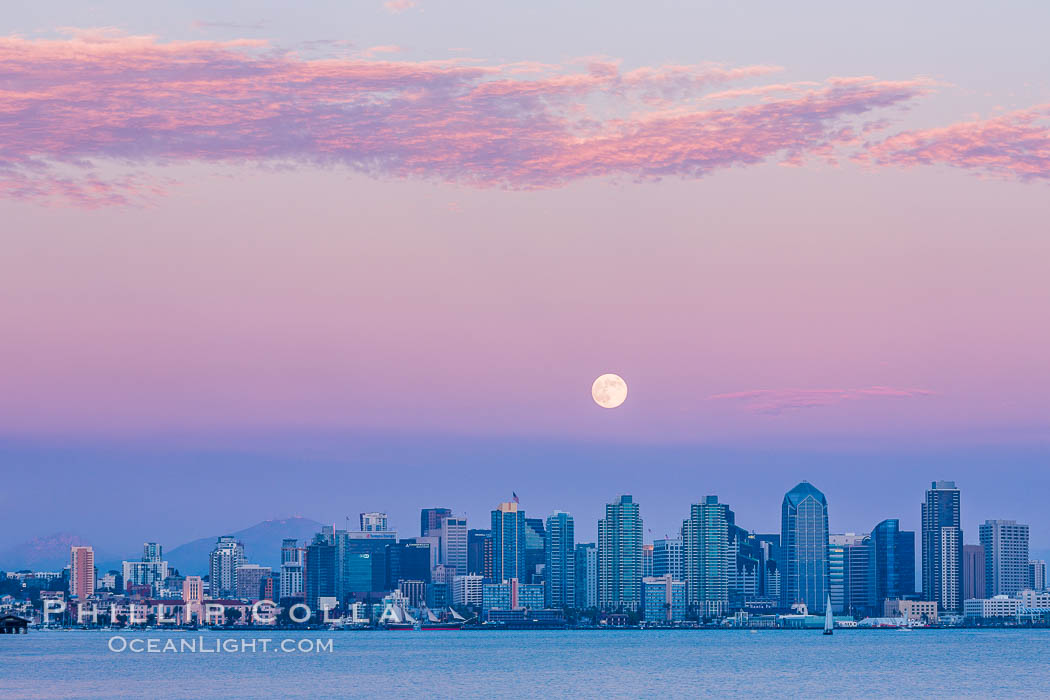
<point x="705" y="539"/>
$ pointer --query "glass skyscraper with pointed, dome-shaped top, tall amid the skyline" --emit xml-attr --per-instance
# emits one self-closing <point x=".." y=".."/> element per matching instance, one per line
<point x="804" y="538"/>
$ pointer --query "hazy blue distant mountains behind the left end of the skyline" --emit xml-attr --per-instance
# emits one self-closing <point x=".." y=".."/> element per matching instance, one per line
<point x="262" y="546"/>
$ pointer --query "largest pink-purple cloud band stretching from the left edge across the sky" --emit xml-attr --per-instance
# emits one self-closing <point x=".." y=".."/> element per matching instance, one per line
<point x="100" y="97"/>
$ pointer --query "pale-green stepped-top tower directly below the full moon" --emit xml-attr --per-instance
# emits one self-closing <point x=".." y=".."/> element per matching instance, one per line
<point x="620" y="556"/>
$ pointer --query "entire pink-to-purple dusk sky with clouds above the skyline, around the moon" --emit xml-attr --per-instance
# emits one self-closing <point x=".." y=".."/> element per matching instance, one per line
<point x="365" y="248"/>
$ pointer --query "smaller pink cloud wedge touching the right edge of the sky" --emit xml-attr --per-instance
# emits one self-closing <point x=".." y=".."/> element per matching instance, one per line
<point x="1016" y="145"/>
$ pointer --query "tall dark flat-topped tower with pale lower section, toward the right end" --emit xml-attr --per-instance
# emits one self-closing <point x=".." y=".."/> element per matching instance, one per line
<point x="942" y="547"/>
